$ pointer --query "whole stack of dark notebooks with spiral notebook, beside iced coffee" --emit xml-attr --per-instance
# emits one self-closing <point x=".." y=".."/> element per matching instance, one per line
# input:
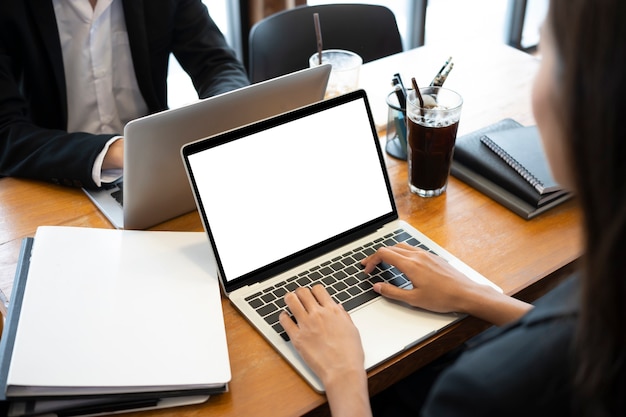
<point x="506" y="161"/>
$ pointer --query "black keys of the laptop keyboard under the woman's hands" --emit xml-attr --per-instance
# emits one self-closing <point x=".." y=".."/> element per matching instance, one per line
<point x="343" y="278"/>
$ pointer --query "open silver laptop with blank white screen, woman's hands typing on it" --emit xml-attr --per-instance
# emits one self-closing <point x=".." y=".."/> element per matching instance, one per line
<point x="301" y="198"/>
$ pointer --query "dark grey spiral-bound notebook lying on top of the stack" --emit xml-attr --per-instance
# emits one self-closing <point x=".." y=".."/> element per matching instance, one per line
<point x="521" y="148"/>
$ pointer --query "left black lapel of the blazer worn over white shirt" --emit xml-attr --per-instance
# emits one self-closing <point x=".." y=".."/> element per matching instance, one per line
<point x="43" y="14"/>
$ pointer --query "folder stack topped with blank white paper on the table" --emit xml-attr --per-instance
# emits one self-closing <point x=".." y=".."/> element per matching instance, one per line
<point x="109" y="320"/>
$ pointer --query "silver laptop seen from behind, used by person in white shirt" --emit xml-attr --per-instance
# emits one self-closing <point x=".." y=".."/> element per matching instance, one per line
<point x="155" y="187"/>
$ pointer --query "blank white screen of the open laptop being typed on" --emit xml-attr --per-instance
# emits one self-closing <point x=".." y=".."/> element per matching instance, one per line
<point x="278" y="191"/>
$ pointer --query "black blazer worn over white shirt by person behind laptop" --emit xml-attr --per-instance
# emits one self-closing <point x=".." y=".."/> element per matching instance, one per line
<point x="33" y="103"/>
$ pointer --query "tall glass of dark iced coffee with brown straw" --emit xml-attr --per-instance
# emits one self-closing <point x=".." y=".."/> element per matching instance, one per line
<point x="432" y="123"/>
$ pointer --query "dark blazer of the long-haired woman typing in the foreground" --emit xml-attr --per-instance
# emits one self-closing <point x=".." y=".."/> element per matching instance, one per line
<point x="523" y="369"/>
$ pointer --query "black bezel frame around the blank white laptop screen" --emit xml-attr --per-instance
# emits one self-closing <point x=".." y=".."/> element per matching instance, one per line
<point x="311" y="252"/>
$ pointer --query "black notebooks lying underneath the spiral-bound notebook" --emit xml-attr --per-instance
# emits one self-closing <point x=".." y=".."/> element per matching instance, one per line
<point x="477" y="165"/>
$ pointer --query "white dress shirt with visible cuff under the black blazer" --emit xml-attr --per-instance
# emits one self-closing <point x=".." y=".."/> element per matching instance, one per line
<point x="102" y="90"/>
